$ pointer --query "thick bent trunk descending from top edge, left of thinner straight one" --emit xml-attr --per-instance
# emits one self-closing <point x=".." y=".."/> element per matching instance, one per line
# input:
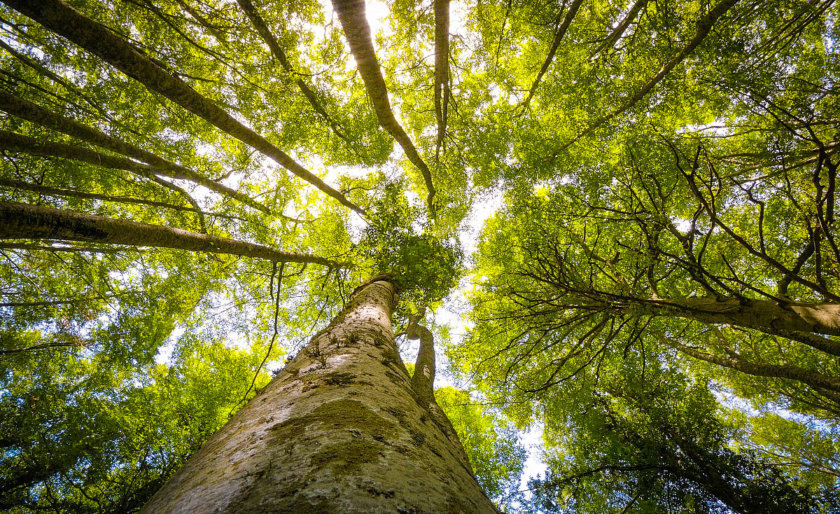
<point x="351" y="13"/>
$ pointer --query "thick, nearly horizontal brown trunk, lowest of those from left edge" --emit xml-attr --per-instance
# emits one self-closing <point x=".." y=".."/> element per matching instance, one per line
<point x="23" y="221"/>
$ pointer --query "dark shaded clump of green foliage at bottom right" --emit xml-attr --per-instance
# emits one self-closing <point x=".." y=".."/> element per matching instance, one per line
<point x="662" y="449"/>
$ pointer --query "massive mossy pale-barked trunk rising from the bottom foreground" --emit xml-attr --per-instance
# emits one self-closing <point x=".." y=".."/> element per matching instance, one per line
<point x="339" y="429"/>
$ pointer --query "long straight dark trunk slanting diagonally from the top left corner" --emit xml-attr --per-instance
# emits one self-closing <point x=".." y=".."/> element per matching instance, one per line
<point x="97" y="39"/>
